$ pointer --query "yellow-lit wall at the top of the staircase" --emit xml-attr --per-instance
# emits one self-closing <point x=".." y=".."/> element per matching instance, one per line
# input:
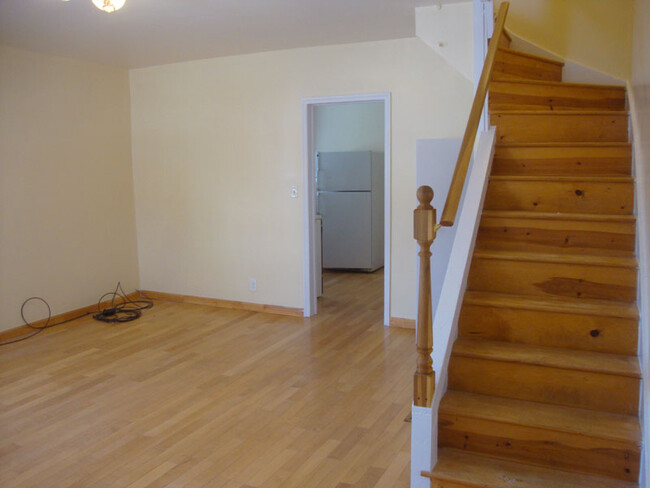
<point x="594" y="33"/>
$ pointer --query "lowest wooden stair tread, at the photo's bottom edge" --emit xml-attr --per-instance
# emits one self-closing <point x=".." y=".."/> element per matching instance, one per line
<point x="470" y="470"/>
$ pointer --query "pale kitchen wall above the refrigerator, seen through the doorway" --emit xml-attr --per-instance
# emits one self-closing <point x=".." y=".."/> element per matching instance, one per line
<point x="349" y="127"/>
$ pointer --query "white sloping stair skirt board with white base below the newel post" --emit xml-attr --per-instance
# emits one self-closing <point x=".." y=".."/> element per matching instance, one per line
<point x="449" y="300"/>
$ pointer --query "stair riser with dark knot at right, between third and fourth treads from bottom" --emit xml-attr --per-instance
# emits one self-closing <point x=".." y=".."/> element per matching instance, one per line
<point x="575" y="331"/>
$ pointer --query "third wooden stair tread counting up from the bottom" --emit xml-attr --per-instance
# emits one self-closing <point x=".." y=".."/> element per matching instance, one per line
<point x="614" y="364"/>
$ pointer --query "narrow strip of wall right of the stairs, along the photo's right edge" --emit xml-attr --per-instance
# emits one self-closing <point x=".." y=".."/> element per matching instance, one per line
<point x="640" y="88"/>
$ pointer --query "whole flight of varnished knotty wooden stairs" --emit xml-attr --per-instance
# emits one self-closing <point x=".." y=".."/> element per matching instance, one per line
<point x="544" y="377"/>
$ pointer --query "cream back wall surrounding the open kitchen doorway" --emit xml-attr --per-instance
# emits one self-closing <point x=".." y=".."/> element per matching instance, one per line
<point x="217" y="146"/>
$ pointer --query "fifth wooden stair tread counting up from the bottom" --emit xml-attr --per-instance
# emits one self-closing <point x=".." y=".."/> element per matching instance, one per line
<point x="578" y="259"/>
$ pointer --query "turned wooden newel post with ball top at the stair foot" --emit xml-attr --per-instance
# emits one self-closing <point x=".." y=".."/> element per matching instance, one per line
<point x="424" y="231"/>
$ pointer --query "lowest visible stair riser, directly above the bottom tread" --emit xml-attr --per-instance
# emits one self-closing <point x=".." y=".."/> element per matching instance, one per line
<point x="543" y="447"/>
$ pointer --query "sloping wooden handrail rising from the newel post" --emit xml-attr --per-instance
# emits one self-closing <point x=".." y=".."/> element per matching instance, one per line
<point x="460" y="173"/>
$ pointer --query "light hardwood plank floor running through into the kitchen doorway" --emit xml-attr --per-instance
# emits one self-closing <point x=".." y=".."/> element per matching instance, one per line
<point x="194" y="396"/>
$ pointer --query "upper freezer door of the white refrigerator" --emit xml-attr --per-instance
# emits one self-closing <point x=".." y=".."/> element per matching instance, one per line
<point x="344" y="171"/>
